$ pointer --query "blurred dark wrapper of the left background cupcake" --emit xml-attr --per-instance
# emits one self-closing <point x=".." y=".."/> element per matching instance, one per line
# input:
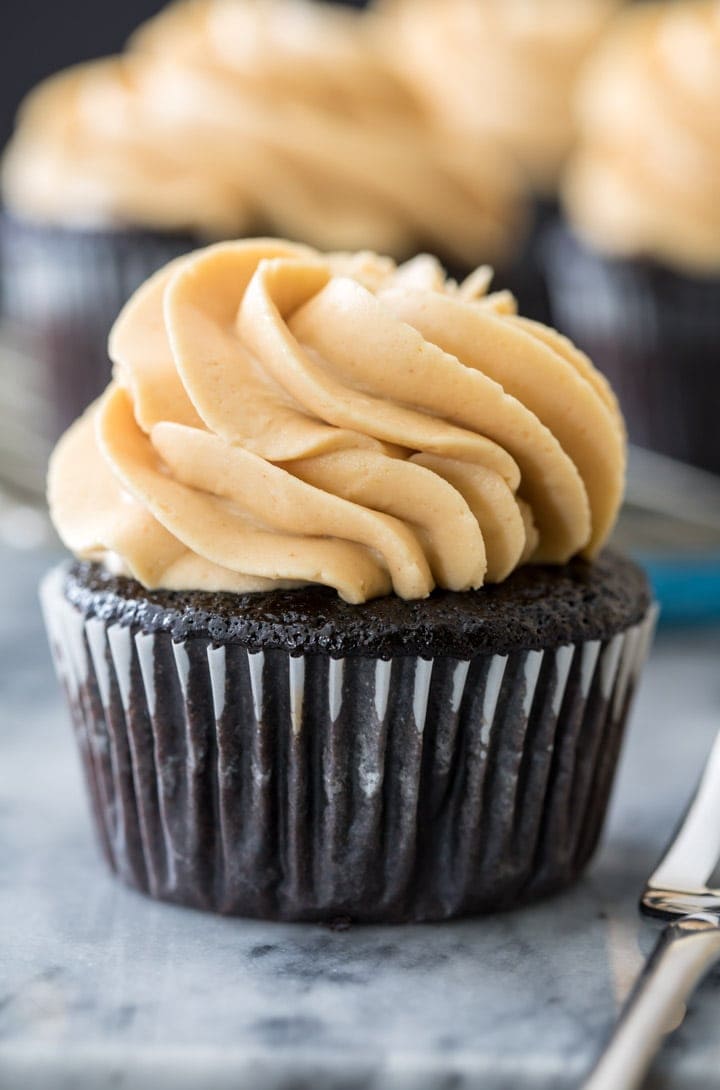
<point x="62" y="292"/>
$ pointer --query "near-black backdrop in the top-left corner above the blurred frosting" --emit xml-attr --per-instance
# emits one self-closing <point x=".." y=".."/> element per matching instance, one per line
<point x="42" y="37"/>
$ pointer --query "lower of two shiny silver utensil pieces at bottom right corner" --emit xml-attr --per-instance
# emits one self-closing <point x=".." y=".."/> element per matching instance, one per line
<point x="686" y="951"/>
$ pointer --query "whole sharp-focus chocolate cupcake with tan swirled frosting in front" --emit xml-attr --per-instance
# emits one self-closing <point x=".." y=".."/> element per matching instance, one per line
<point x="340" y="638"/>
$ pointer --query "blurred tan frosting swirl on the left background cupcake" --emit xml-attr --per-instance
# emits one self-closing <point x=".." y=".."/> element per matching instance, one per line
<point x="229" y="117"/>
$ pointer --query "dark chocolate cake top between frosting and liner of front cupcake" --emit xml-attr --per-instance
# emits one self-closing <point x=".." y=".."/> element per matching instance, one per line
<point x="536" y="608"/>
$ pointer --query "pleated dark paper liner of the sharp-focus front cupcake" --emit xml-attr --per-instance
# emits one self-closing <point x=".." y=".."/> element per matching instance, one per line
<point x="313" y="789"/>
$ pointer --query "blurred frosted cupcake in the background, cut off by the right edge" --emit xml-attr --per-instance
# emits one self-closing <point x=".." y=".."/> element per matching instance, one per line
<point x="636" y="271"/>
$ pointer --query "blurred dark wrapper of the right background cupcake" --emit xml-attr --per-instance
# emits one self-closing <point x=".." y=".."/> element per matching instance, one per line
<point x="655" y="334"/>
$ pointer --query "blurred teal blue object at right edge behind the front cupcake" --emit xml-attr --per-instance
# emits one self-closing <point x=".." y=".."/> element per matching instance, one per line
<point x="688" y="592"/>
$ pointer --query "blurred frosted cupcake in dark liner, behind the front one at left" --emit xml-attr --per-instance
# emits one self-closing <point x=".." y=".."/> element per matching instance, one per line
<point x="226" y="118"/>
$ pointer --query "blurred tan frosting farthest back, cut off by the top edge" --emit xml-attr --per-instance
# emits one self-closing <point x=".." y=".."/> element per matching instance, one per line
<point x="506" y="67"/>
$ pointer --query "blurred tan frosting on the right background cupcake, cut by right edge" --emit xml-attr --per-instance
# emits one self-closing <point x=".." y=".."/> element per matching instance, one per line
<point x="644" y="180"/>
